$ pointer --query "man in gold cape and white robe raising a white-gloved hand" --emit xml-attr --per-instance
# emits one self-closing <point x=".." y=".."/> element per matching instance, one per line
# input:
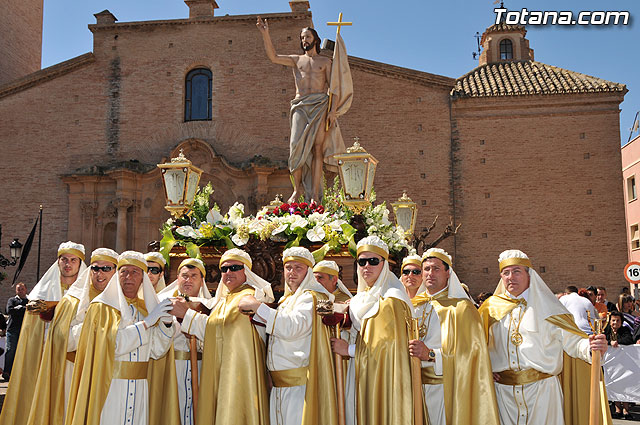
<point x="120" y="333"/>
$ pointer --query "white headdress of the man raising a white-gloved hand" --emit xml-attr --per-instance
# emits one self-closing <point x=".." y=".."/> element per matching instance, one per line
<point x="113" y="295"/>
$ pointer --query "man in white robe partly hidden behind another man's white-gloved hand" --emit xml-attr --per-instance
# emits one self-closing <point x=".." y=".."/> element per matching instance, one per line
<point x="190" y="284"/>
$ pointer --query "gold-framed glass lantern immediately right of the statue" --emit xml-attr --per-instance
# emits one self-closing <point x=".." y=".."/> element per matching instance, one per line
<point x="357" y="171"/>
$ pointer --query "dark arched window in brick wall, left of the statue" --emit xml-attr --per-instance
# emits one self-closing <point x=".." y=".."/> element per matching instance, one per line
<point x="197" y="95"/>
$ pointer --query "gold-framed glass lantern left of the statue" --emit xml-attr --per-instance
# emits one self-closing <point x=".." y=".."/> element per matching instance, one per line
<point x="180" y="178"/>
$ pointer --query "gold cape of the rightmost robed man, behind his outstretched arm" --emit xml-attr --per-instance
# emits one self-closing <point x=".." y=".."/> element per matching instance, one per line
<point x="576" y="373"/>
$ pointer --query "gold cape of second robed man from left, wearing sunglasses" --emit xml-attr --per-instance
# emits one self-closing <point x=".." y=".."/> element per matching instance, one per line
<point x="48" y="401"/>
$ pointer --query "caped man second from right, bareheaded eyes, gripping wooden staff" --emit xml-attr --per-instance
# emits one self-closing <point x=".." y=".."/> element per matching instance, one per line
<point x="450" y="343"/>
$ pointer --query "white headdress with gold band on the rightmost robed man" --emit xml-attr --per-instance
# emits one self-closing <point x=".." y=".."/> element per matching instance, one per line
<point x="542" y="301"/>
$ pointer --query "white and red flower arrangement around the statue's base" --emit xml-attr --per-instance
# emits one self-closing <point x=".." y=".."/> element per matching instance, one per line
<point x="295" y="224"/>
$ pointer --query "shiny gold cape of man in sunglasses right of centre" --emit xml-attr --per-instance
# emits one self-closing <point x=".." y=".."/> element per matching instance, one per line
<point x="383" y="370"/>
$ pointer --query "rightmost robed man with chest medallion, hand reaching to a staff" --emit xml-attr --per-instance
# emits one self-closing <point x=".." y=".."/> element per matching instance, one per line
<point x="529" y="330"/>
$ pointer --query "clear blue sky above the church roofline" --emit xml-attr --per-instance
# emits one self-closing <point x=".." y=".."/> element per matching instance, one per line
<point x="430" y="36"/>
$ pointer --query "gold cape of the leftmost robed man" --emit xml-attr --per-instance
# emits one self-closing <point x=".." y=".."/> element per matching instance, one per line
<point x="24" y="374"/>
